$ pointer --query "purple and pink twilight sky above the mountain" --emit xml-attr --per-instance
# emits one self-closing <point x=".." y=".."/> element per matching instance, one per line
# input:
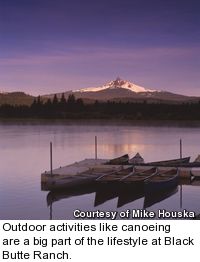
<point x="49" y="46"/>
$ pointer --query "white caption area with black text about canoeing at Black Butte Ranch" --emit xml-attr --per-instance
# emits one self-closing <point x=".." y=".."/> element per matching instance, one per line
<point x="99" y="240"/>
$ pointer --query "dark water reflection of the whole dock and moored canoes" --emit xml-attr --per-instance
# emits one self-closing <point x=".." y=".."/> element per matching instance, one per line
<point x="125" y="196"/>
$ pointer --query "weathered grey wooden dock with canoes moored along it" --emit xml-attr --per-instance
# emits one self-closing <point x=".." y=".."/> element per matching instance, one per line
<point x="87" y="171"/>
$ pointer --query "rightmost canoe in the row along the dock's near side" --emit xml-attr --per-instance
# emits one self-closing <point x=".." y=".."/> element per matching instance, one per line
<point x="162" y="180"/>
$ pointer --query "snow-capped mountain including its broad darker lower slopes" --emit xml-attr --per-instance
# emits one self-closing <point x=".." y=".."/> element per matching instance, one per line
<point x="124" y="91"/>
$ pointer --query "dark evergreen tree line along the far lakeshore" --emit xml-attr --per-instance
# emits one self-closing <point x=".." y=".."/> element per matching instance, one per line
<point x="72" y="108"/>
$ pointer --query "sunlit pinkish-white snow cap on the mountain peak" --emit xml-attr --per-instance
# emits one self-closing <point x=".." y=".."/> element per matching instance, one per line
<point x="118" y="83"/>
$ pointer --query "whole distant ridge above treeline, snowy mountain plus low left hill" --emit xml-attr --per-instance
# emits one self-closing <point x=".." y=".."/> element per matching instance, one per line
<point x="115" y="90"/>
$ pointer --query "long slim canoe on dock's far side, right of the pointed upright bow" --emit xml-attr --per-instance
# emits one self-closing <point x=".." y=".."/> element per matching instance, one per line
<point x="171" y="162"/>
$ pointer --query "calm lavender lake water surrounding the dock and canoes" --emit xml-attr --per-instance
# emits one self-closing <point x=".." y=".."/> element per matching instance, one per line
<point x="24" y="154"/>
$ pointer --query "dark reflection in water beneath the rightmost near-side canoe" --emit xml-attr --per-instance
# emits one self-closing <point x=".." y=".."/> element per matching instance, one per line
<point x="151" y="199"/>
